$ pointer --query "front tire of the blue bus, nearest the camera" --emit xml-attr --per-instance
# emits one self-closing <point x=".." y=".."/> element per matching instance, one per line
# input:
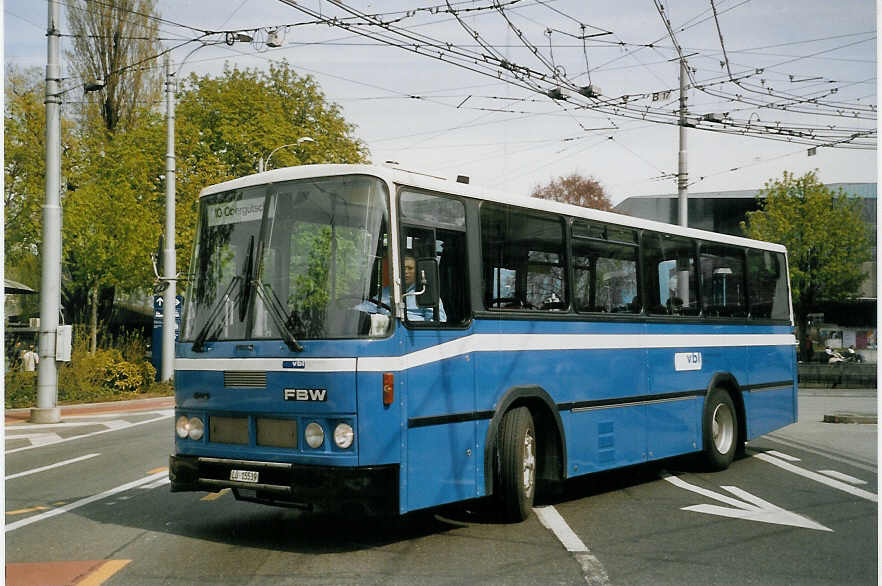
<point x="517" y="465"/>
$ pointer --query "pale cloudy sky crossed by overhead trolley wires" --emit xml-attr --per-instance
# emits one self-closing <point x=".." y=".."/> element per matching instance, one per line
<point x="792" y="64"/>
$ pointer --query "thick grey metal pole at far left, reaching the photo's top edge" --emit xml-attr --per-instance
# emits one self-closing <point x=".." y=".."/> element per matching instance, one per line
<point x="46" y="410"/>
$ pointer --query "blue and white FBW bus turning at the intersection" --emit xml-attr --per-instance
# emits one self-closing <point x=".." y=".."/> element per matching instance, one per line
<point x="365" y="335"/>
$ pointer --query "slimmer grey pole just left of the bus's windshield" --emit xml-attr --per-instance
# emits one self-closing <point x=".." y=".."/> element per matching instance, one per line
<point x="169" y="263"/>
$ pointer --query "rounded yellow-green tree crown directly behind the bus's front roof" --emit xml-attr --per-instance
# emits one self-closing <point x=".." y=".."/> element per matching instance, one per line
<point x="225" y="124"/>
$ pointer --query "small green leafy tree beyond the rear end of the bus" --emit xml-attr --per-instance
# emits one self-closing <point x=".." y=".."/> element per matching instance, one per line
<point x="826" y="239"/>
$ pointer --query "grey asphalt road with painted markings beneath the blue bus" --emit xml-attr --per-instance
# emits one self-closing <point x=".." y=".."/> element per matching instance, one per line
<point x="88" y="502"/>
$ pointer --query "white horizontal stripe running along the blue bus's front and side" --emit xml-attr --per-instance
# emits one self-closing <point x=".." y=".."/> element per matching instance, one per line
<point x="491" y="343"/>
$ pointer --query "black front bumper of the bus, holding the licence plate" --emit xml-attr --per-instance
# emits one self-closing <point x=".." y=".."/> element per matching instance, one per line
<point x="371" y="489"/>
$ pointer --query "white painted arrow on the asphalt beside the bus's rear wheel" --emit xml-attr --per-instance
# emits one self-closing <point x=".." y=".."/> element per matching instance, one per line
<point x="756" y="509"/>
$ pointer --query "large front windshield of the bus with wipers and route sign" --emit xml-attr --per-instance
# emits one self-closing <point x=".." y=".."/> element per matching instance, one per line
<point x="293" y="260"/>
